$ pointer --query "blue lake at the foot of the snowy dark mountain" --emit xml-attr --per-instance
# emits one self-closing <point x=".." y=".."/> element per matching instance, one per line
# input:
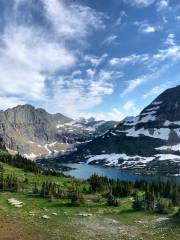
<point x="84" y="171"/>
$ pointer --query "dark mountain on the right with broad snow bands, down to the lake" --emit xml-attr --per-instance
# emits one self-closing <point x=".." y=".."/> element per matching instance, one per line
<point x="149" y="142"/>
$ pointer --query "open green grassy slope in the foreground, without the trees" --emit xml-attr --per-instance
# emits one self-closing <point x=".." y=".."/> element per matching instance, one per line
<point x="105" y="223"/>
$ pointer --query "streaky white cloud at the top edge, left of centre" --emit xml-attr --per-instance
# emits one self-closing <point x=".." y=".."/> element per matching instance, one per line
<point x="74" y="21"/>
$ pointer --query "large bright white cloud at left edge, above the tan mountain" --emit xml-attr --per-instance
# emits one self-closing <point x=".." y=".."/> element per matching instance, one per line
<point x="26" y="57"/>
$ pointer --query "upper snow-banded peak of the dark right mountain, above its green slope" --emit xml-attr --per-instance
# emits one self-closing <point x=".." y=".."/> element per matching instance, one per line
<point x="161" y="119"/>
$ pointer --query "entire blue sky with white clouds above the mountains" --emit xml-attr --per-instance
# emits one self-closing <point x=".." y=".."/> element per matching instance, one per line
<point x="105" y="58"/>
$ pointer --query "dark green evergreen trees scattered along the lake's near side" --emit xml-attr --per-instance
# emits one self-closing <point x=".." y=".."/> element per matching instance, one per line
<point x="161" y="196"/>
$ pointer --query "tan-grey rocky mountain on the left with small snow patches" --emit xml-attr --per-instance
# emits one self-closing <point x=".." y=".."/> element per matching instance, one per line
<point x="36" y="133"/>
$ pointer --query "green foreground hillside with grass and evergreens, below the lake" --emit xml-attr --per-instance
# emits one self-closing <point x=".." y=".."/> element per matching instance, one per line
<point x="42" y="215"/>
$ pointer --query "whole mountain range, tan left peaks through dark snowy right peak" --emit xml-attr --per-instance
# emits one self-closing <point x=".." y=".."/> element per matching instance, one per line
<point x="149" y="142"/>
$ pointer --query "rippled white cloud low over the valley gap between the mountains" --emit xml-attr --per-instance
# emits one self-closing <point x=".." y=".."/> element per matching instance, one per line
<point x="83" y="93"/>
